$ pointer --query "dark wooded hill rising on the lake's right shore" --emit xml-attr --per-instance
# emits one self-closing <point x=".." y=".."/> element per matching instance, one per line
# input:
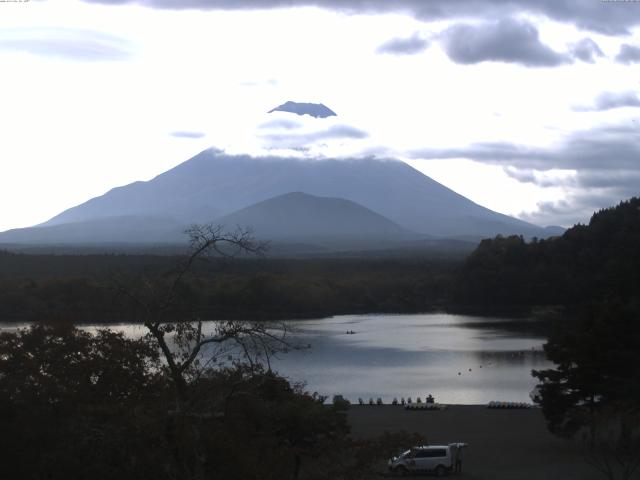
<point x="591" y="262"/>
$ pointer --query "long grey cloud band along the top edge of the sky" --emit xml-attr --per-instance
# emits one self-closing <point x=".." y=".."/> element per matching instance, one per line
<point x="612" y="18"/>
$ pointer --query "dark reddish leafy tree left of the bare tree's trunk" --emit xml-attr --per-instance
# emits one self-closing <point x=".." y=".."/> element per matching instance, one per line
<point x="67" y="396"/>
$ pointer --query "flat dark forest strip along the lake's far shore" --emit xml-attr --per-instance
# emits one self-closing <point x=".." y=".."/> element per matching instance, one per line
<point x="86" y="288"/>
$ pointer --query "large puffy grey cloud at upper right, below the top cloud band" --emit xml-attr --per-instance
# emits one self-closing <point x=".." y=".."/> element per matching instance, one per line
<point x="507" y="40"/>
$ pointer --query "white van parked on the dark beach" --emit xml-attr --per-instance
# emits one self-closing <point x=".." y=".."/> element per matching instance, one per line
<point x="438" y="459"/>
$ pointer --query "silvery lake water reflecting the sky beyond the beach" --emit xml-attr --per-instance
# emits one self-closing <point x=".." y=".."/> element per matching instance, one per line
<point x="458" y="359"/>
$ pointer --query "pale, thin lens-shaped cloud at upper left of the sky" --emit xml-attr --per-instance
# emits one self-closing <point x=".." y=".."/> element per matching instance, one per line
<point x="70" y="44"/>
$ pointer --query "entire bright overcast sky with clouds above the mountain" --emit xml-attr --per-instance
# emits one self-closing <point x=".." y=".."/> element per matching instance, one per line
<point x="529" y="108"/>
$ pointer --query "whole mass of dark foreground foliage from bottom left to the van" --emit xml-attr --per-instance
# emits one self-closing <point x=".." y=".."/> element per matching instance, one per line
<point x="100" y="406"/>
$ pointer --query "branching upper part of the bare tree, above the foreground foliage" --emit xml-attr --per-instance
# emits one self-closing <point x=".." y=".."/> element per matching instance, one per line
<point x="180" y="334"/>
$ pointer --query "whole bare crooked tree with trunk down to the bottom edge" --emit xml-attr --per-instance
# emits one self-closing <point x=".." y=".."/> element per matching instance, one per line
<point x="191" y="348"/>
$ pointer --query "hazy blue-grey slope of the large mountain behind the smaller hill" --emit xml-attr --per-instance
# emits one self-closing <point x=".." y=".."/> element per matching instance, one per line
<point x="213" y="184"/>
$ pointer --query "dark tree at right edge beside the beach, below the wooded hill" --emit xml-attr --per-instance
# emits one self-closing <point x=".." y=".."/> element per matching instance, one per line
<point x="597" y="356"/>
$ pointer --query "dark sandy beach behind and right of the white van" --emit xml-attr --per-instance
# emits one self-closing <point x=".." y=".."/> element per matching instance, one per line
<point x="503" y="444"/>
